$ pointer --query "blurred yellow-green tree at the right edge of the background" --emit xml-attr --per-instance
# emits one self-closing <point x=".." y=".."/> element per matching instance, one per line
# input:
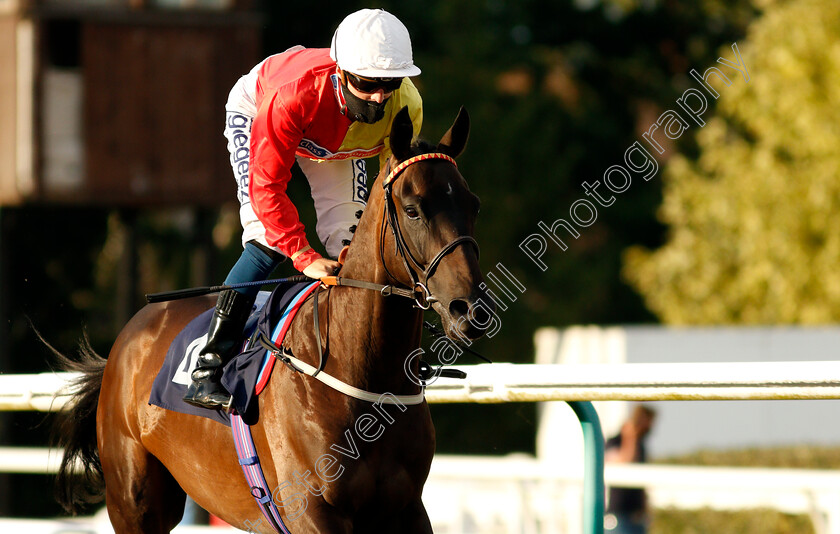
<point x="753" y="219"/>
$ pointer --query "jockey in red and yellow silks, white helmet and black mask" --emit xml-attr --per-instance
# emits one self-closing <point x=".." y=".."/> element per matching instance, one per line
<point x="325" y="109"/>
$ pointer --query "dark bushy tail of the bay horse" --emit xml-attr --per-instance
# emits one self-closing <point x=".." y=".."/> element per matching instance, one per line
<point x="75" y="430"/>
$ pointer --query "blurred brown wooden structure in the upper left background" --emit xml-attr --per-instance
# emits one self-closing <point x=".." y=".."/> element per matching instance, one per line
<point x="114" y="105"/>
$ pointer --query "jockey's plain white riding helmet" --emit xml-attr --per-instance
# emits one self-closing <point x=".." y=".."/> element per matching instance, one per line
<point x="375" y="44"/>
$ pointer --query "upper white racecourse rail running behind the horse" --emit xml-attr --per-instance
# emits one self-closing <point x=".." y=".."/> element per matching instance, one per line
<point x="507" y="382"/>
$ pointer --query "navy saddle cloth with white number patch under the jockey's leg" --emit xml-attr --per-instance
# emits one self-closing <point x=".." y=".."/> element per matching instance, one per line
<point x="240" y="374"/>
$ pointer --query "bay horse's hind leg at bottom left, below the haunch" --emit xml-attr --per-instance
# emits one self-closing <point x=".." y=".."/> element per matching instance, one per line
<point x="140" y="494"/>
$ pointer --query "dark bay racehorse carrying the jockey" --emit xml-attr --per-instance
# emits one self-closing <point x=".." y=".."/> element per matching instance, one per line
<point x="146" y="459"/>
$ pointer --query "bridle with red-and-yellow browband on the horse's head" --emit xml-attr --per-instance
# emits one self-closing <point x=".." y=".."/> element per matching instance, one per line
<point x="419" y="274"/>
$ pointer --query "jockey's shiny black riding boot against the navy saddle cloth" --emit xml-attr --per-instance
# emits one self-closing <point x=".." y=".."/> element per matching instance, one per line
<point x="229" y="317"/>
